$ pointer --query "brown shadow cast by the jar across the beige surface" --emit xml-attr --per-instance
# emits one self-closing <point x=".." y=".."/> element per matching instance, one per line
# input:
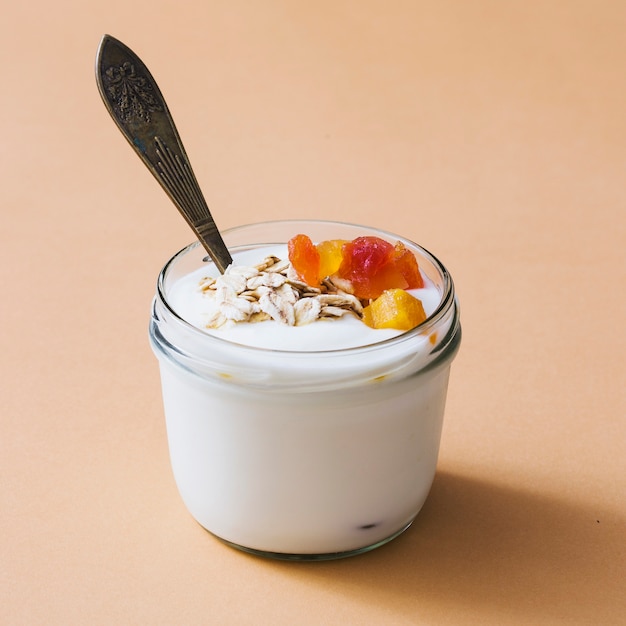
<point x="485" y="549"/>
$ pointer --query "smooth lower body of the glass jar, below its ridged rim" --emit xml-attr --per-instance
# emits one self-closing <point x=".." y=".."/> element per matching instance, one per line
<point x="330" y="475"/>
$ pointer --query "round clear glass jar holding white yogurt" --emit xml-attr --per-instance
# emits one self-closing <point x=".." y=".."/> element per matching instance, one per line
<point x="303" y="455"/>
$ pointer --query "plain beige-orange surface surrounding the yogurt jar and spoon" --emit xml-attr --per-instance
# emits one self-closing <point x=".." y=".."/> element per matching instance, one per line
<point x="493" y="133"/>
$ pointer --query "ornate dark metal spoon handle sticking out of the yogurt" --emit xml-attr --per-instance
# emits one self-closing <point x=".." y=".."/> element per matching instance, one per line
<point x="137" y="106"/>
